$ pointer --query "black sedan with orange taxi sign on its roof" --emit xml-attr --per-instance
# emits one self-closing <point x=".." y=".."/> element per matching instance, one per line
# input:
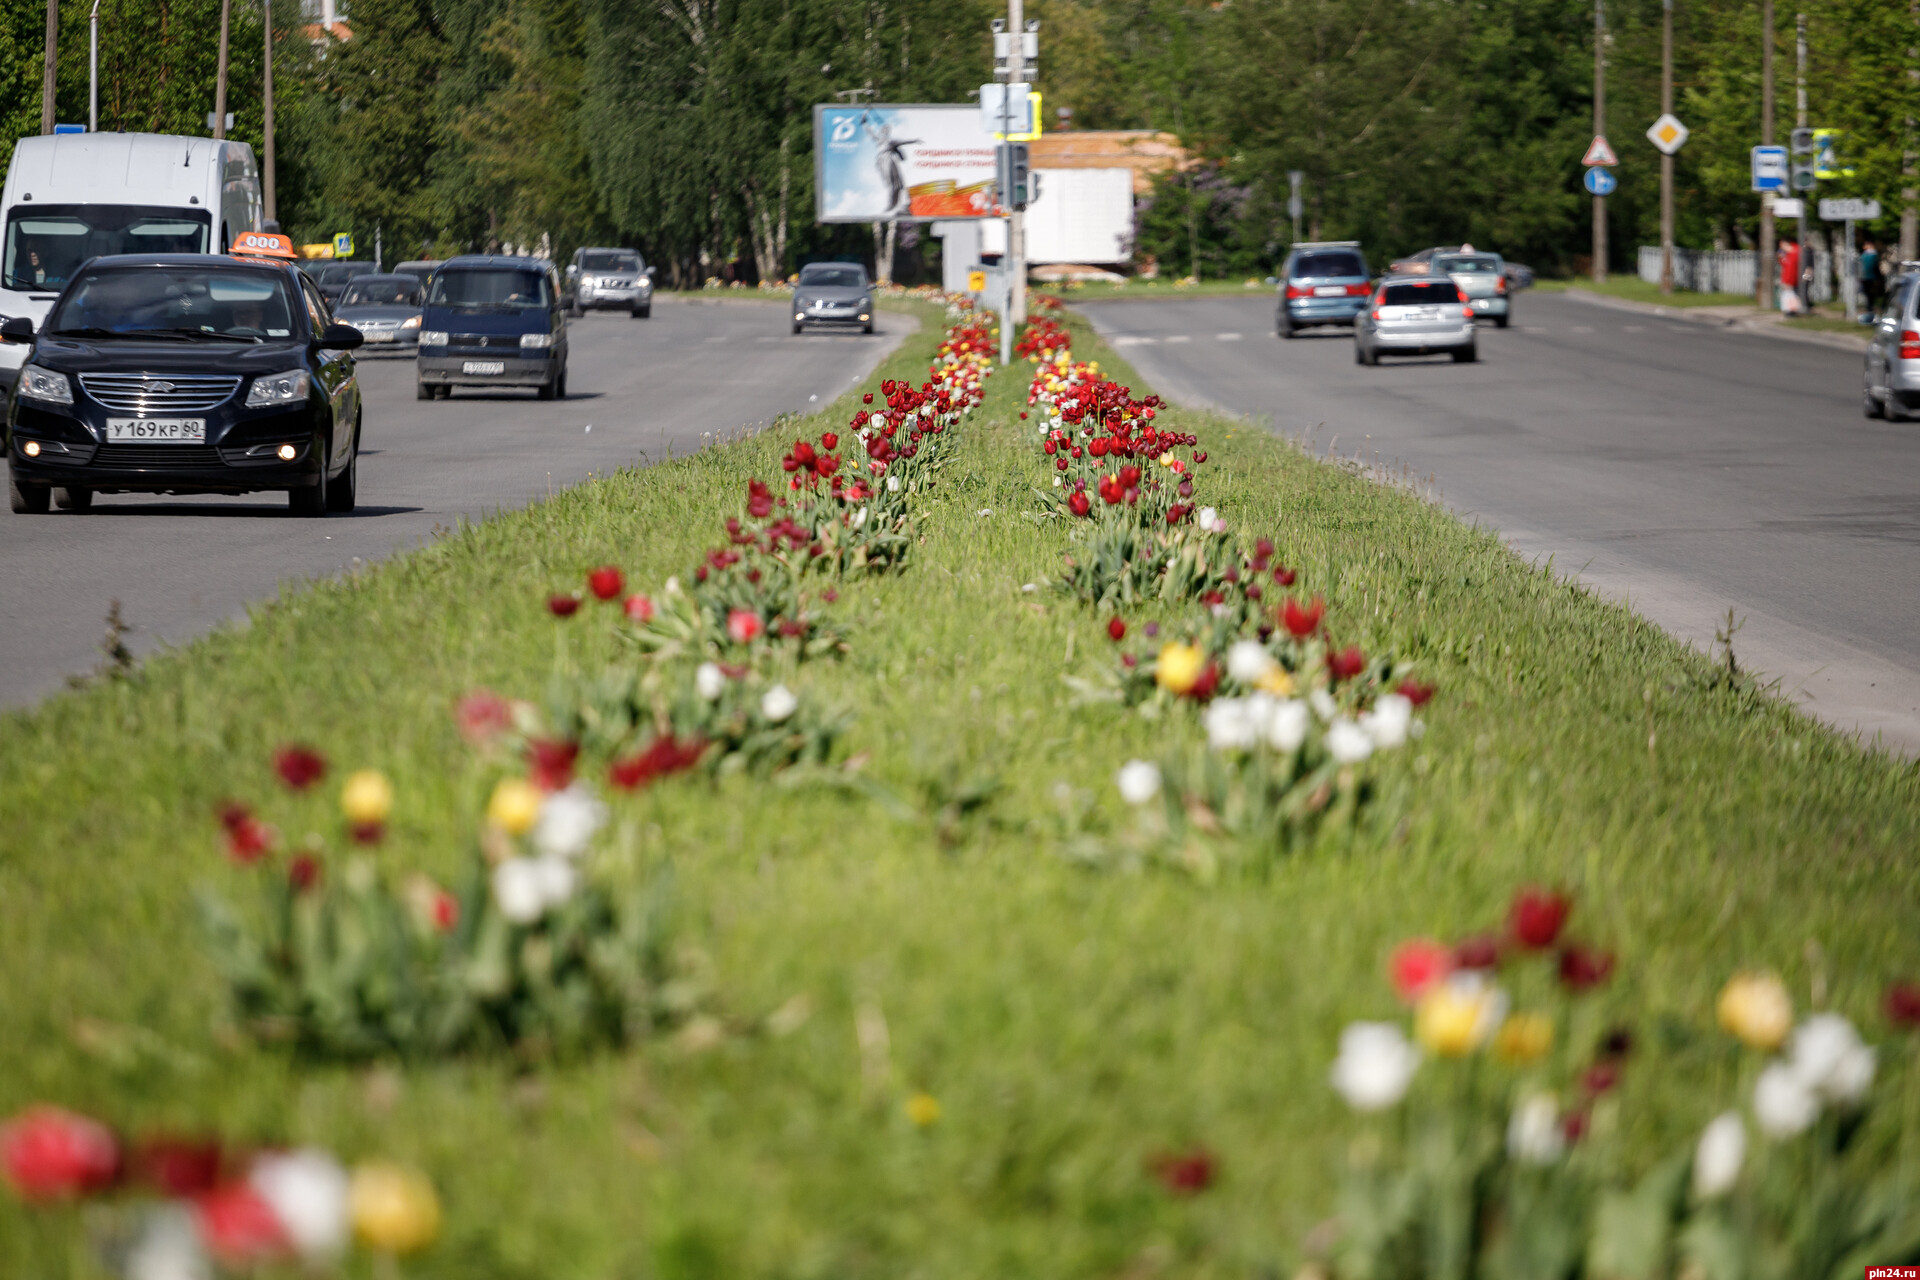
<point x="185" y="375"/>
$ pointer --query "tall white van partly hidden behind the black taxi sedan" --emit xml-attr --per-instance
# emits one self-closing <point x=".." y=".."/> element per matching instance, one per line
<point x="78" y="197"/>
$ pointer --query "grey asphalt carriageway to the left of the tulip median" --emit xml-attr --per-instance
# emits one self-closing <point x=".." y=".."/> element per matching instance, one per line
<point x="636" y="391"/>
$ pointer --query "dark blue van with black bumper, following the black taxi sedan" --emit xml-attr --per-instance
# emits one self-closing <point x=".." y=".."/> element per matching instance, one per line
<point x="492" y="321"/>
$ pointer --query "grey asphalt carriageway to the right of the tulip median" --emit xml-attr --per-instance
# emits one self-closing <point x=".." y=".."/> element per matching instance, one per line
<point x="1679" y="467"/>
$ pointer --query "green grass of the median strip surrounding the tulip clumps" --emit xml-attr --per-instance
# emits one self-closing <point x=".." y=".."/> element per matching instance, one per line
<point x="1072" y="1024"/>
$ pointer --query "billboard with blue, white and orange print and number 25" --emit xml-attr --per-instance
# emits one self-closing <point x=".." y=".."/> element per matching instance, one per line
<point x="907" y="164"/>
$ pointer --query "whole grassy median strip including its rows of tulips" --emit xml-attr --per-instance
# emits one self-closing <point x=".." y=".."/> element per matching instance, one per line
<point x="807" y="968"/>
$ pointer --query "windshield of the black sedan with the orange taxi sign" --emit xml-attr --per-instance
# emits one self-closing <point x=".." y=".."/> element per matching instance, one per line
<point x="224" y="302"/>
